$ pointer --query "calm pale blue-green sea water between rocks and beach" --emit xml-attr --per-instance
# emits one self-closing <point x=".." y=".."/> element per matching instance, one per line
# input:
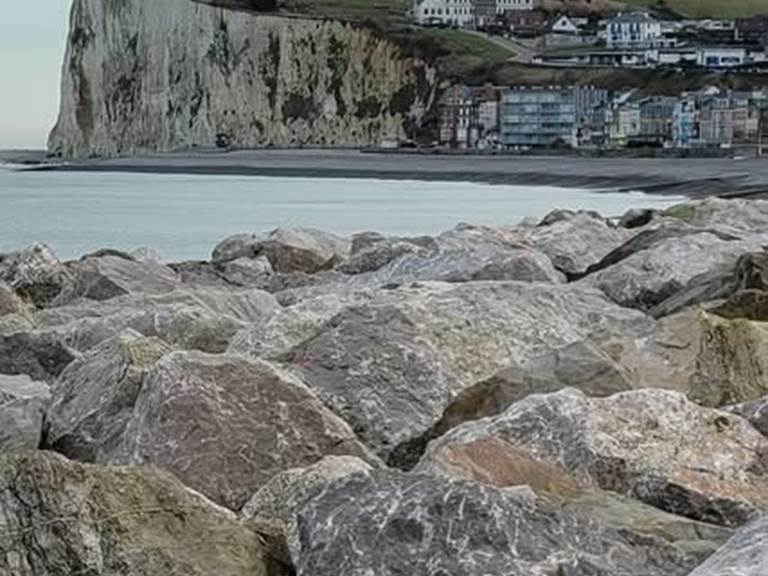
<point x="183" y="217"/>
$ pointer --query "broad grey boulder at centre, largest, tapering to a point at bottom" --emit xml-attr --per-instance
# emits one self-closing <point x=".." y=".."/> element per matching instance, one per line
<point x="391" y="365"/>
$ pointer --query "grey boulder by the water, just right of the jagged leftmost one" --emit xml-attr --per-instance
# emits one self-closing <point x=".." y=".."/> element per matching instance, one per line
<point x="108" y="275"/>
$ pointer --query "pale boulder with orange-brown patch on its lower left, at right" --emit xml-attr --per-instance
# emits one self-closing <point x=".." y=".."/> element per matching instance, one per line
<point x="652" y="445"/>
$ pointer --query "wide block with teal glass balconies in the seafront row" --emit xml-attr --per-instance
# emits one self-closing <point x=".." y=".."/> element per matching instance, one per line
<point x="546" y="116"/>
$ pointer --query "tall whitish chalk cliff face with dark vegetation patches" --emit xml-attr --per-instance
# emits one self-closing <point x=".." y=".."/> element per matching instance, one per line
<point x="143" y="75"/>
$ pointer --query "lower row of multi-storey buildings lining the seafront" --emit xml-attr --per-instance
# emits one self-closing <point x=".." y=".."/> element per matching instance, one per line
<point x="491" y="117"/>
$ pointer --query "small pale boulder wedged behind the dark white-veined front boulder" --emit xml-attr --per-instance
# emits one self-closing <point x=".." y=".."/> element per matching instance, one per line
<point x="279" y="501"/>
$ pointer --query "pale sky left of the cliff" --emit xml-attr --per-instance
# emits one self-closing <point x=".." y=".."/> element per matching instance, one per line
<point x="32" y="40"/>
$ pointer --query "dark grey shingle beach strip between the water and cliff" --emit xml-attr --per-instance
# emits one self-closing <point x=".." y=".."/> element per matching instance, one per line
<point x="693" y="178"/>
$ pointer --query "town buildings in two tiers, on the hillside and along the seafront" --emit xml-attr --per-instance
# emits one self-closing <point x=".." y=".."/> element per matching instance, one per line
<point x="591" y="118"/>
